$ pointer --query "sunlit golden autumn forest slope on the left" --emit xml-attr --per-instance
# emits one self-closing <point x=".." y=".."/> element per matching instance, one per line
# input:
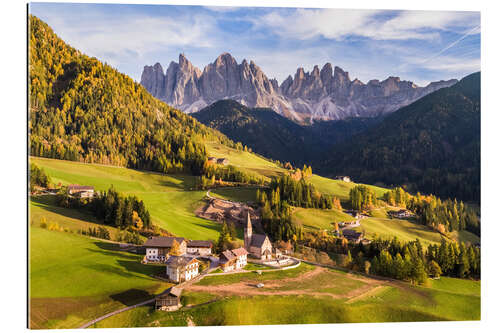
<point x="83" y="110"/>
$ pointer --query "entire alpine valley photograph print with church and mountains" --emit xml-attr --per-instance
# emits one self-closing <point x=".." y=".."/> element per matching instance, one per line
<point x="209" y="166"/>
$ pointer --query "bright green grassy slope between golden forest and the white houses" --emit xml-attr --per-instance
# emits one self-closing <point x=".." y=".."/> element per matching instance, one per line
<point x="168" y="198"/>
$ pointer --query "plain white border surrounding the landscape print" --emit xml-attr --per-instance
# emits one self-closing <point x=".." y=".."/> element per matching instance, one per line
<point x="13" y="161"/>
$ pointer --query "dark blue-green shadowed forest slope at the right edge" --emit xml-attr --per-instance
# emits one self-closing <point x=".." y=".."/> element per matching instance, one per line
<point x="431" y="145"/>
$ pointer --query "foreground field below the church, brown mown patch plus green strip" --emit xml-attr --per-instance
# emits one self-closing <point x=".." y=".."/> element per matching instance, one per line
<point x="346" y="298"/>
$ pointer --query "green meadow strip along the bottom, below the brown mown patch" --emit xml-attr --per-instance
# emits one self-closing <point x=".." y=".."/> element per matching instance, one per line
<point x="388" y="303"/>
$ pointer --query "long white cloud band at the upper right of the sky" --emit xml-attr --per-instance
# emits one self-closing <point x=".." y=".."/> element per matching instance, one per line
<point x="340" y="23"/>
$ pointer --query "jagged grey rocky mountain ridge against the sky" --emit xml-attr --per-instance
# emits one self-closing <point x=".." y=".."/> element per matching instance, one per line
<point x="326" y="94"/>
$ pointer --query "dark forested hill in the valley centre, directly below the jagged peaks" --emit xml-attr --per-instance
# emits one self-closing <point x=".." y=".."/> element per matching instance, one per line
<point x="275" y="136"/>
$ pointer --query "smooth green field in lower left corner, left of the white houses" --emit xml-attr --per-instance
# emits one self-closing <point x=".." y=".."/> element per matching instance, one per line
<point x="74" y="279"/>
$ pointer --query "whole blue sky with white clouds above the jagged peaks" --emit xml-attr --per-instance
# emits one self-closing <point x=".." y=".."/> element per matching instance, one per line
<point x="419" y="46"/>
